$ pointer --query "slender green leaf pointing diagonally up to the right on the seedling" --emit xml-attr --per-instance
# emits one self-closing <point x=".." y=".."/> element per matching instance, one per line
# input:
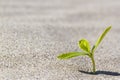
<point x="101" y="37"/>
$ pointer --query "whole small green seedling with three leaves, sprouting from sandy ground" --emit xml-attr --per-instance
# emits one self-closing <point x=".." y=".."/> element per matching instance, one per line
<point x="86" y="49"/>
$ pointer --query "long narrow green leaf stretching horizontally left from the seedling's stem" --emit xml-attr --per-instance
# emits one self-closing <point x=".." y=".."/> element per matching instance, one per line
<point x="71" y="55"/>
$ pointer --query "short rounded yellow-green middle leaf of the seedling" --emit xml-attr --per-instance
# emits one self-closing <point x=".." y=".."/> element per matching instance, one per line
<point x="84" y="45"/>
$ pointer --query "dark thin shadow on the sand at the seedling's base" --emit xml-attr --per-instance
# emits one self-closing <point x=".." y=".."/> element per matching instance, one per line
<point x="102" y="72"/>
